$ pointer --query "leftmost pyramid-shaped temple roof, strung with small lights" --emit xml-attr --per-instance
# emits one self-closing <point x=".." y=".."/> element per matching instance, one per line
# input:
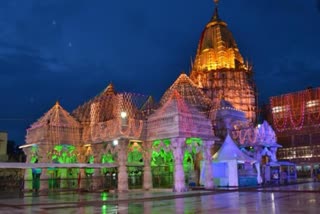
<point x="56" y="116"/>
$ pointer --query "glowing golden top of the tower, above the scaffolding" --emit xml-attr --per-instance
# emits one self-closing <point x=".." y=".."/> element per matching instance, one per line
<point x="217" y="48"/>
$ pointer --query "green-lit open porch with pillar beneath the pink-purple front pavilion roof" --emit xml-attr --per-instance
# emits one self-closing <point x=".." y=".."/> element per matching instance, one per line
<point x="176" y="162"/>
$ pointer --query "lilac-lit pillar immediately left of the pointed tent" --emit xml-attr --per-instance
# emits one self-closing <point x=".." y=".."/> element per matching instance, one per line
<point x="208" y="183"/>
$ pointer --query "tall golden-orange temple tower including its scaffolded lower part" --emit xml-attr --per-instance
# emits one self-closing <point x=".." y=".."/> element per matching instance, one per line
<point x="220" y="71"/>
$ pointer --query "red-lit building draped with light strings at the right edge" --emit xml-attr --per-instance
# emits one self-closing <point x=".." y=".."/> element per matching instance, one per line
<point x="296" y="120"/>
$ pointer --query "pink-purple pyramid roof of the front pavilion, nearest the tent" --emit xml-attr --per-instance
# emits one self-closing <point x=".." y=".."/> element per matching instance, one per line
<point x="175" y="118"/>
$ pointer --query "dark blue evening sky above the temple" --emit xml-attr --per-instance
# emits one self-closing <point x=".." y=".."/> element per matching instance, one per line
<point x="70" y="50"/>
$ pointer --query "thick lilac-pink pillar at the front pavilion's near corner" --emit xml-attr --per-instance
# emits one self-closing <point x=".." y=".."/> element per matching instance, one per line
<point x="178" y="146"/>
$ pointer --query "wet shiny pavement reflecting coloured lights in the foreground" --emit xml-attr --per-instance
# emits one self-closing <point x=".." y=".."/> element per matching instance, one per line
<point x="298" y="198"/>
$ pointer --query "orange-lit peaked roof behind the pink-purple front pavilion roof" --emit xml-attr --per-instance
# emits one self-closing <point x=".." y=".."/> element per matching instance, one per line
<point x="189" y="92"/>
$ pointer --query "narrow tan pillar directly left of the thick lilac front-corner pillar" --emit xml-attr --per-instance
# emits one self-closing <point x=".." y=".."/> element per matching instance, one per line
<point x="147" y="175"/>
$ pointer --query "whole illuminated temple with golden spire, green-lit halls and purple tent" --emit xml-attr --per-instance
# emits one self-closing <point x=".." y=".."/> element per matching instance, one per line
<point x="126" y="140"/>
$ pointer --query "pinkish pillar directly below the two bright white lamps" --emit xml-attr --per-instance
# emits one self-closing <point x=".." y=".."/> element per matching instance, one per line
<point x="122" y="163"/>
